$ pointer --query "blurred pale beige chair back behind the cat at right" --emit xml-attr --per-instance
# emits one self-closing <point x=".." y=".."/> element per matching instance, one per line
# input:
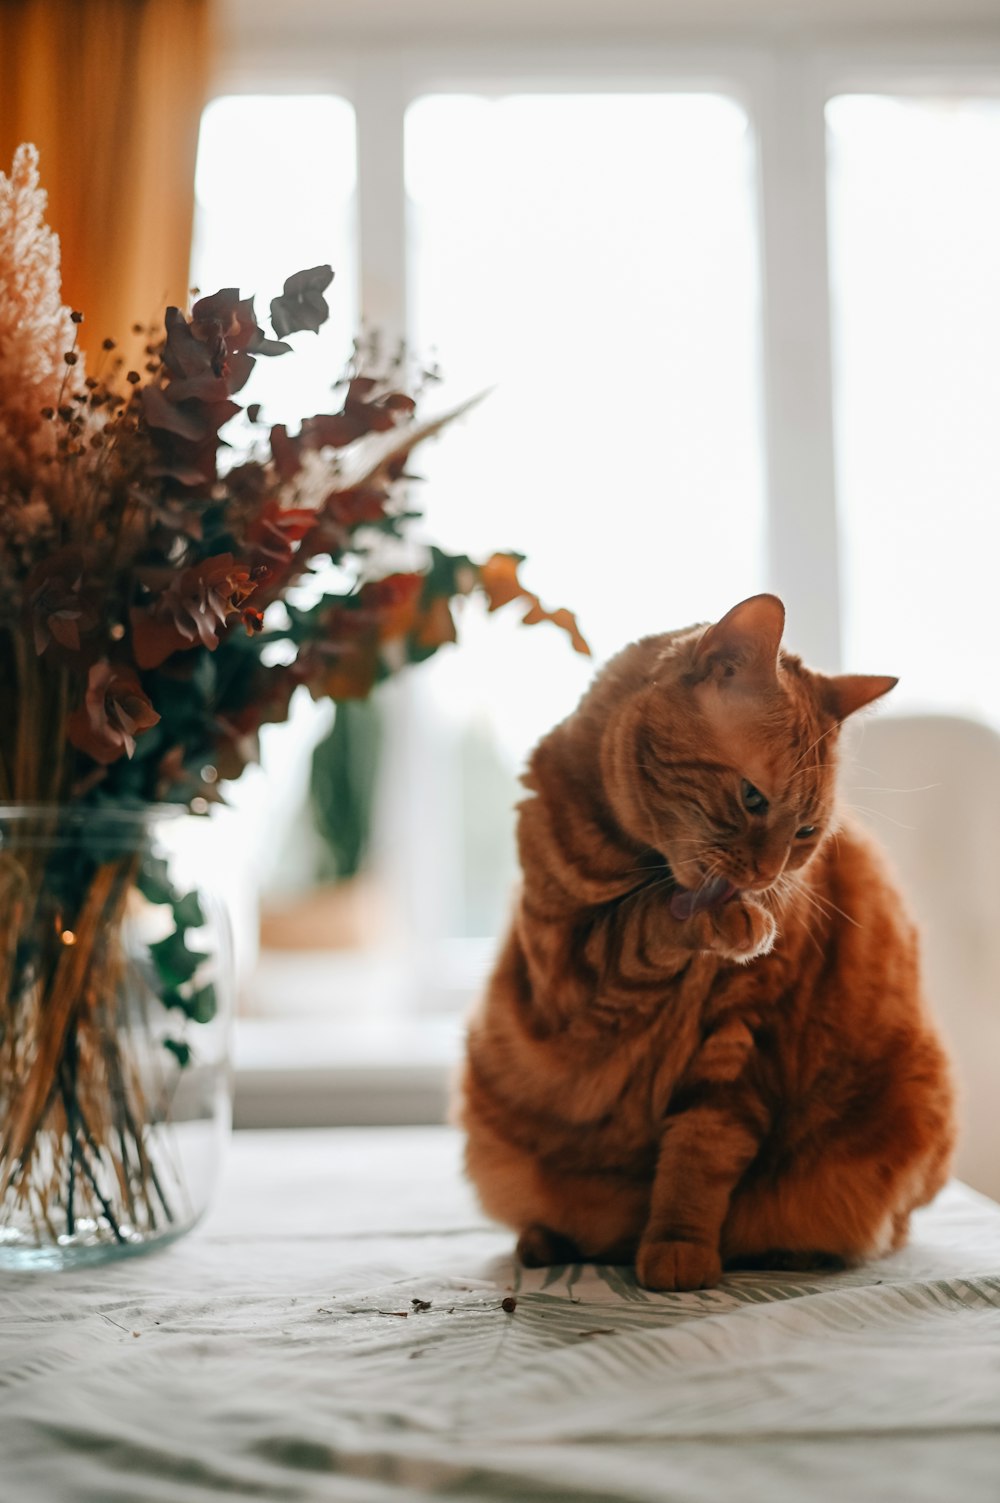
<point x="929" y="787"/>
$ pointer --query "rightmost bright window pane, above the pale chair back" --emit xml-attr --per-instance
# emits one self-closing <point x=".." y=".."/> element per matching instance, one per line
<point x="915" y="235"/>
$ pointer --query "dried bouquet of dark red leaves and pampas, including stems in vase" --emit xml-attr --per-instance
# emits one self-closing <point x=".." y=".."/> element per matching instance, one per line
<point x="153" y="618"/>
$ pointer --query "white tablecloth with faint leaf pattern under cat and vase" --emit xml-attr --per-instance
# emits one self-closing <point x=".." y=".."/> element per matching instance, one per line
<point x="335" y="1331"/>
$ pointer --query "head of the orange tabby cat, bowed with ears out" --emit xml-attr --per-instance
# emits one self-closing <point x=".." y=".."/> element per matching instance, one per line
<point x="727" y="761"/>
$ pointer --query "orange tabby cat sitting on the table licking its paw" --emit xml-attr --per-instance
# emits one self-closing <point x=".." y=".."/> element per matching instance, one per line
<point x="706" y="1041"/>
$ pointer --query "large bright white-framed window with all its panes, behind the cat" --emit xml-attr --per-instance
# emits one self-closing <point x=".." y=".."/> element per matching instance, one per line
<point x="739" y="315"/>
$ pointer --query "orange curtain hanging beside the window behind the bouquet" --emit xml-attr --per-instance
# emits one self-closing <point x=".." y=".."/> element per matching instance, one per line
<point x="111" y="92"/>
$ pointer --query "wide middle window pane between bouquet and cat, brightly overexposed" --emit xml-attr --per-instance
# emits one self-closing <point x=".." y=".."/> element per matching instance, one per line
<point x="590" y="258"/>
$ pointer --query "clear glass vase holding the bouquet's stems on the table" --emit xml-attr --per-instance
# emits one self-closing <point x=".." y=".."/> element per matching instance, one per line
<point x="115" y="1012"/>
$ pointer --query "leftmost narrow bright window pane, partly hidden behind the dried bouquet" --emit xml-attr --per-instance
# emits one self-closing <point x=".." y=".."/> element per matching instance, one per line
<point x="276" y="193"/>
